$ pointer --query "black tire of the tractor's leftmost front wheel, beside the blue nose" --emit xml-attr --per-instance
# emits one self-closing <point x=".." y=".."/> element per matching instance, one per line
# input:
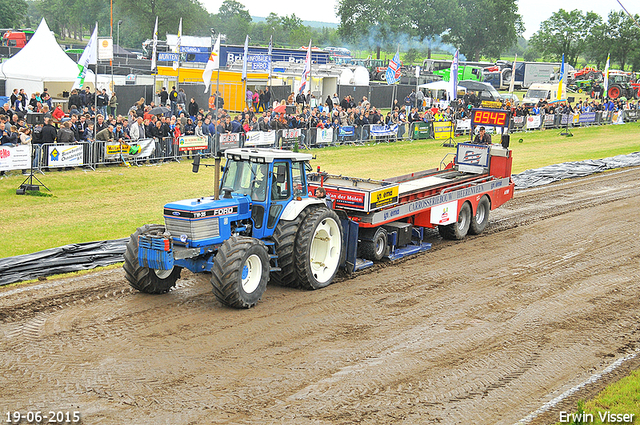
<point x="144" y="279"/>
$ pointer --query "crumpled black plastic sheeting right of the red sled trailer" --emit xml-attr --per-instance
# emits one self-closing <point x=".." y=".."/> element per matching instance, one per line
<point x="568" y="170"/>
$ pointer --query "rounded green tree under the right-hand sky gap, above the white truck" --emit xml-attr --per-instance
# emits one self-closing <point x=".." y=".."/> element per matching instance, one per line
<point x="565" y="33"/>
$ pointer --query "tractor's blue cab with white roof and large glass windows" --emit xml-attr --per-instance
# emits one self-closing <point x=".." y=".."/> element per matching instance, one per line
<point x="271" y="178"/>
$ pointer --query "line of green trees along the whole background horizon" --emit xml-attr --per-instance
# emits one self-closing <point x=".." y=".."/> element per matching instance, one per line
<point x="480" y="29"/>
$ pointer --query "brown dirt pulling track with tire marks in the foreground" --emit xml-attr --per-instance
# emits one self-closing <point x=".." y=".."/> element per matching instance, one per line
<point x="482" y="331"/>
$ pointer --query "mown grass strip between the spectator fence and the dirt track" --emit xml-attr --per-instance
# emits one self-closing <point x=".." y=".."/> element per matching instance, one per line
<point x="112" y="202"/>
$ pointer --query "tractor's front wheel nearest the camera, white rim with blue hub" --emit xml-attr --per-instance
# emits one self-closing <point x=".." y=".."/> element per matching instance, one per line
<point x="240" y="272"/>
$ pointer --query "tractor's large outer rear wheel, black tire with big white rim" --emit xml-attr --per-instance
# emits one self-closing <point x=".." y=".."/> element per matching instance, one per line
<point x="318" y="249"/>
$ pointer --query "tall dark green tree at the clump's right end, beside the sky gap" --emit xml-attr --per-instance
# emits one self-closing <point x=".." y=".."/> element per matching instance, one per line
<point x="485" y="28"/>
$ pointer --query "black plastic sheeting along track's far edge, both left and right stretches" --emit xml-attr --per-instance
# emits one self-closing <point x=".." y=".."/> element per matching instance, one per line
<point x="85" y="256"/>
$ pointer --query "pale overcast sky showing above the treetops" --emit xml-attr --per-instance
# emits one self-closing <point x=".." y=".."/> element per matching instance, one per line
<point x="532" y="11"/>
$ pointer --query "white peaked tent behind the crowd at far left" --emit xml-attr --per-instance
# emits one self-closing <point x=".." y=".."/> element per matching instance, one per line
<point x="42" y="63"/>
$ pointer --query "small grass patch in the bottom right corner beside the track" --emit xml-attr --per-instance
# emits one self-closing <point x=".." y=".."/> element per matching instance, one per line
<point x="618" y="398"/>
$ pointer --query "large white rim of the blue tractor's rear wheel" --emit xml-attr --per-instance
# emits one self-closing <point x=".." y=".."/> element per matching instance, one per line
<point x="325" y="250"/>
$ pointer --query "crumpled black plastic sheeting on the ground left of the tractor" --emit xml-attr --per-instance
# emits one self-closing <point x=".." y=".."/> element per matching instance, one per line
<point x="65" y="259"/>
